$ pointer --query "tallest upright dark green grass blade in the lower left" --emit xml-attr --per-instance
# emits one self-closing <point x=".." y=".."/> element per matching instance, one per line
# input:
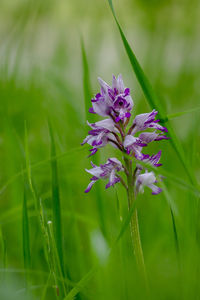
<point x="56" y="210"/>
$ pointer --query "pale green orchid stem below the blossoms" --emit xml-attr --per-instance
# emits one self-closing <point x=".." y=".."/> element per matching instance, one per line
<point x="134" y="226"/>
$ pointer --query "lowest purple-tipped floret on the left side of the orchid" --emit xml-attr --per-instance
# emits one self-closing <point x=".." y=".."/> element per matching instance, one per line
<point x="108" y="170"/>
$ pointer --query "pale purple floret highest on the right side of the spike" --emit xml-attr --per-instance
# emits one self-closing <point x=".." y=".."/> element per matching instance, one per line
<point x="145" y="121"/>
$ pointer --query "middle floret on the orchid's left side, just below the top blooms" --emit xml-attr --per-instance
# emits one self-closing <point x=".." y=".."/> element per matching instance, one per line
<point x="101" y="134"/>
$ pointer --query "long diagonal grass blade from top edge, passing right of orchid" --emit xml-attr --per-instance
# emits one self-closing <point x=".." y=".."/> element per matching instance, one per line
<point x="152" y="99"/>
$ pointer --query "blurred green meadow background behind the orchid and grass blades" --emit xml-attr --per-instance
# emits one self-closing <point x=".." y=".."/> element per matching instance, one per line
<point x="41" y="77"/>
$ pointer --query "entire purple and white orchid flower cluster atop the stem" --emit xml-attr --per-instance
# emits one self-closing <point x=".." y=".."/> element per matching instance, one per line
<point x="115" y="103"/>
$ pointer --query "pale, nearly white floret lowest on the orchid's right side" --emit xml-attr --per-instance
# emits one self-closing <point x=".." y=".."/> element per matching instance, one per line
<point x="147" y="179"/>
